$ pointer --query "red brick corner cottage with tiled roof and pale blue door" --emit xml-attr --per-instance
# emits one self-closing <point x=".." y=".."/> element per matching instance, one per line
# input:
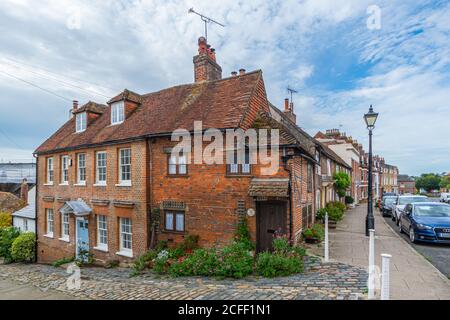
<point x="108" y="184"/>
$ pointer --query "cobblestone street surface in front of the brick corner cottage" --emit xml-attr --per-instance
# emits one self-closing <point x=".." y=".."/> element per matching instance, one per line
<point x="319" y="282"/>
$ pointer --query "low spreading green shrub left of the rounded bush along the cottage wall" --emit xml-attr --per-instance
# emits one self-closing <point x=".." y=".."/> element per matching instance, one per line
<point x="202" y="262"/>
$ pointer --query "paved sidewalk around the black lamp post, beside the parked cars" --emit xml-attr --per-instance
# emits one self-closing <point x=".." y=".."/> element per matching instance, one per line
<point x="412" y="276"/>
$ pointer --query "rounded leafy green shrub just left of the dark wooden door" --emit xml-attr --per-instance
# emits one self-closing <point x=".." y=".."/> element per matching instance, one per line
<point x="236" y="261"/>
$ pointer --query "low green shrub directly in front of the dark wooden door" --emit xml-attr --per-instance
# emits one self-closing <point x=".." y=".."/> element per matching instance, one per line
<point x="274" y="265"/>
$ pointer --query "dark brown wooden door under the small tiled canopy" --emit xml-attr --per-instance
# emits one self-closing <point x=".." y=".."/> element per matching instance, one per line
<point x="270" y="217"/>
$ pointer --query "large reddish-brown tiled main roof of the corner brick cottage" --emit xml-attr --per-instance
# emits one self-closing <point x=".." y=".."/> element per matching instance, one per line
<point x="218" y="104"/>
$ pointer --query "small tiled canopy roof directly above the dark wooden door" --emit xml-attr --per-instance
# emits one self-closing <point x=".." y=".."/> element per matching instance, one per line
<point x="269" y="187"/>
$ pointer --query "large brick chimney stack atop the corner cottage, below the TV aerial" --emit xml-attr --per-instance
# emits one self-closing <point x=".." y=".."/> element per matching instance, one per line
<point x="205" y="65"/>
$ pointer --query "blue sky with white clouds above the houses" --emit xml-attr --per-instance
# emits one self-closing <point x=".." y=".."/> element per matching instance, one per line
<point x="337" y="54"/>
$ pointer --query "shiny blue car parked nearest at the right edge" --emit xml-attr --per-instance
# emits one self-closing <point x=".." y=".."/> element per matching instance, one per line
<point x="426" y="221"/>
